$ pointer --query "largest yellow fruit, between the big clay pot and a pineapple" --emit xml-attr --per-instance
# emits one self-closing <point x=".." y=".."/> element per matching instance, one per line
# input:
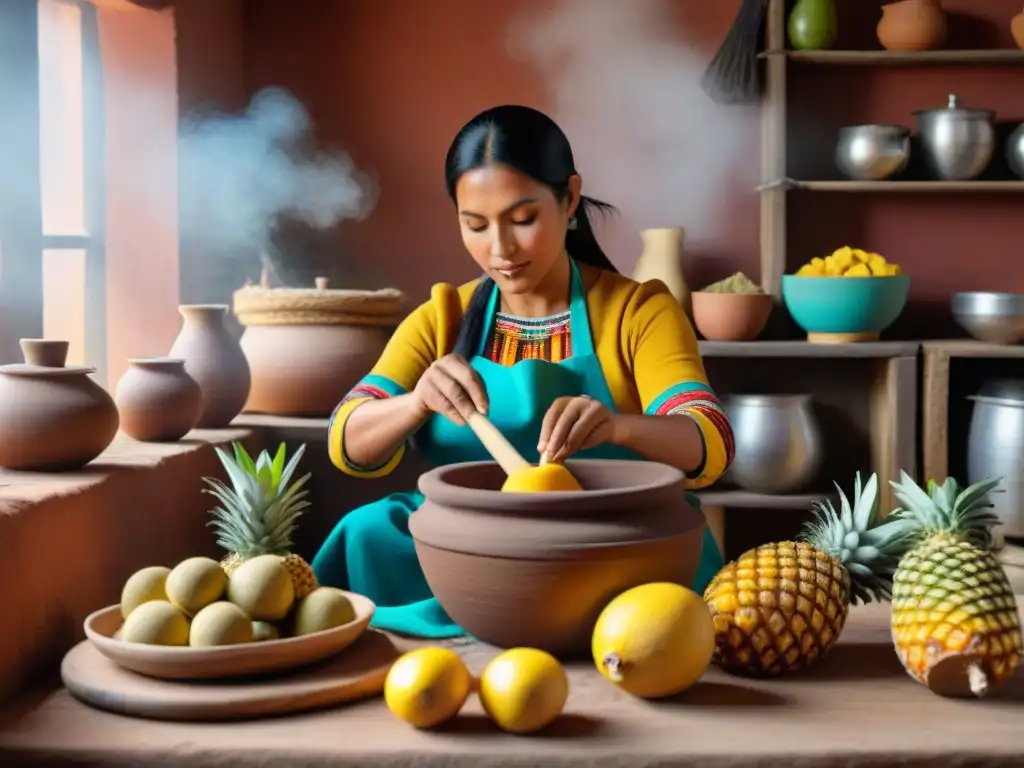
<point x="655" y="641"/>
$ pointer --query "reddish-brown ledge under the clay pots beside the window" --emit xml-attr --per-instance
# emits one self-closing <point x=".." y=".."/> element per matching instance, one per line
<point x="71" y="539"/>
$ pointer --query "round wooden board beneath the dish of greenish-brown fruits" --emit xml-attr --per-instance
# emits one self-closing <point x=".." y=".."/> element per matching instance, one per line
<point x="358" y="673"/>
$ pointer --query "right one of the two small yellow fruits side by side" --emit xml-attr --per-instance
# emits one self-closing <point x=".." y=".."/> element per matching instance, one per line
<point x="524" y="690"/>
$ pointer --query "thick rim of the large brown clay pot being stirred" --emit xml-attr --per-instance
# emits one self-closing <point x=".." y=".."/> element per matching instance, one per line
<point x="668" y="482"/>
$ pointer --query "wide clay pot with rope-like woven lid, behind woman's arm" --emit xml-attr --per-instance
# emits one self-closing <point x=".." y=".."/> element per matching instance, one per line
<point x="308" y="348"/>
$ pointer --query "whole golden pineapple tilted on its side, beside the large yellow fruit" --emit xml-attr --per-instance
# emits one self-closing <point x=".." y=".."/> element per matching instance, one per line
<point x="782" y="607"/>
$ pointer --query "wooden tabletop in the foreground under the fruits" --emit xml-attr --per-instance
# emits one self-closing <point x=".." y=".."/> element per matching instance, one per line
<point x="859" y="708"/>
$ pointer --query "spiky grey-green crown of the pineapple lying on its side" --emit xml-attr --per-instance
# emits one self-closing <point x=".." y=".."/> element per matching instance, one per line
<point x="857" y="536"/>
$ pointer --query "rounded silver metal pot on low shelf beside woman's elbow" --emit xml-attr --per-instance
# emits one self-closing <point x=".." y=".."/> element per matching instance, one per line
<point x="779" y="443"/>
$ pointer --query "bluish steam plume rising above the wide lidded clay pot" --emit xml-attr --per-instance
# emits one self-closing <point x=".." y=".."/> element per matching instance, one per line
<point x="246" y="173"/>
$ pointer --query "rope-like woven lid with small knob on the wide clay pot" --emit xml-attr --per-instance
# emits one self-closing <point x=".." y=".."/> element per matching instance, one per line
<point x="258" y="306"/>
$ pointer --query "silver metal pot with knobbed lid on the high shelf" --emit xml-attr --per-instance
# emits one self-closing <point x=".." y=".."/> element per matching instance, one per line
<point x="957" y="143"/>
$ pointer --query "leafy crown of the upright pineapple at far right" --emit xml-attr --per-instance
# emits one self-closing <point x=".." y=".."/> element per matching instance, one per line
<point x="947" y="509"/>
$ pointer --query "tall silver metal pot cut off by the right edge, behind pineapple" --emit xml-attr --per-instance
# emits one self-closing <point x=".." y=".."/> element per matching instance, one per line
<point x="996" y="449"/>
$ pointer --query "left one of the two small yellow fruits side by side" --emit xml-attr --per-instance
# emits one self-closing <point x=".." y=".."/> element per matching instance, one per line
<point x="428" y="688"/>
